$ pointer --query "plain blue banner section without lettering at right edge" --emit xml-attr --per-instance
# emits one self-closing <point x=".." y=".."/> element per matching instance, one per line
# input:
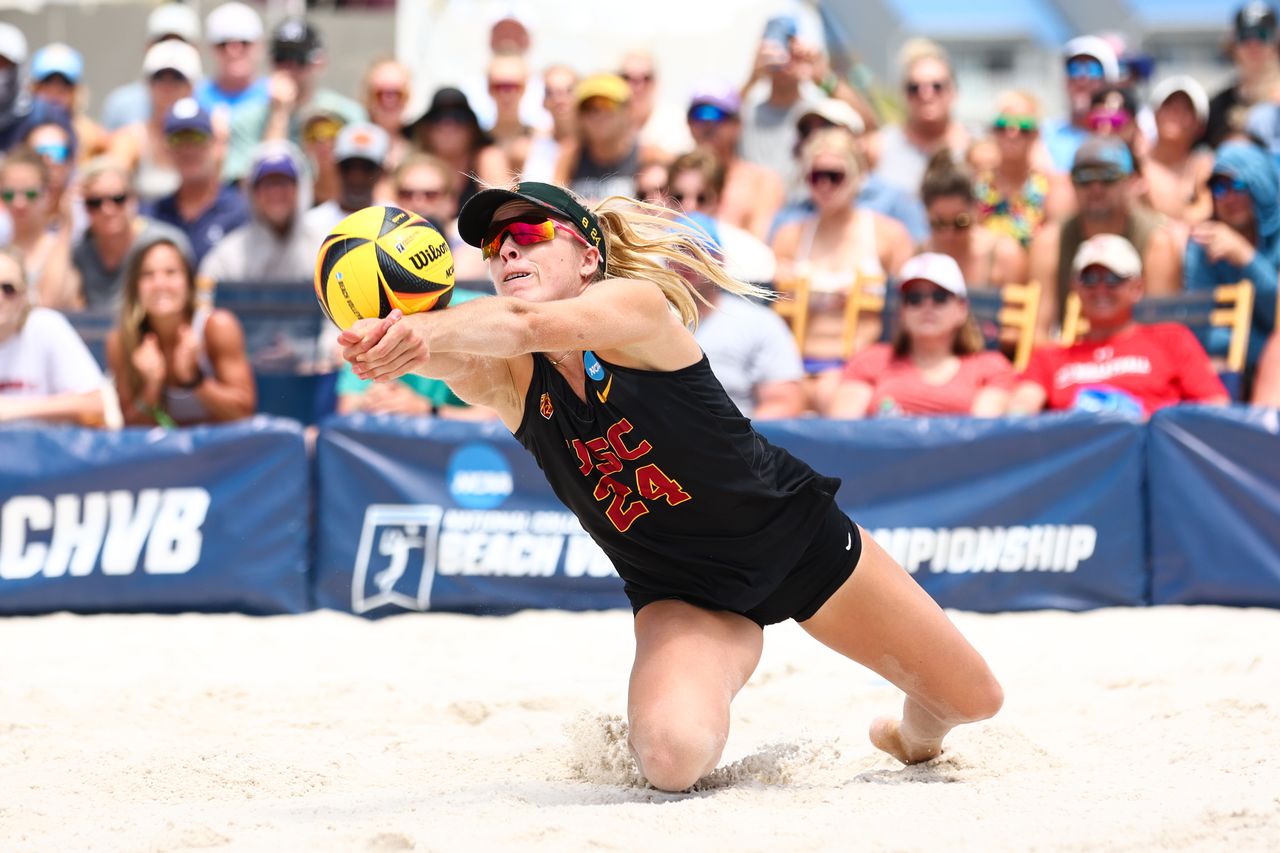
<point x="1215" y="507"/>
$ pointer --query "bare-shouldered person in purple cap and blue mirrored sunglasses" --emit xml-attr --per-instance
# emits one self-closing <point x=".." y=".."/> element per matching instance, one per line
<point x="753" y="194"/>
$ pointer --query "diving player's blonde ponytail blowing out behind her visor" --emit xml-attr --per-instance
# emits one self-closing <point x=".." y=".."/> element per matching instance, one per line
<point x="642" y="243"/>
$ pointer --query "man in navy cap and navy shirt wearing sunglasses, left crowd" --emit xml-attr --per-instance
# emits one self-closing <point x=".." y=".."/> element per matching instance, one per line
<point x="203" y="207"/>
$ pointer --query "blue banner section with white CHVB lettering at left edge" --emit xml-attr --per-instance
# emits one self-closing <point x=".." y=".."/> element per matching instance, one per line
<point x="203" y="519"/>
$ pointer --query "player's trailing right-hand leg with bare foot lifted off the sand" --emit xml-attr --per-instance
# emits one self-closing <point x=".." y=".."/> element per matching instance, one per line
<point x="883" y="619"/>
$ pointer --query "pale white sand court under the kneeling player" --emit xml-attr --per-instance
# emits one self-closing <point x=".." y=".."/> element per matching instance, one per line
<point x="1123" y="731"/>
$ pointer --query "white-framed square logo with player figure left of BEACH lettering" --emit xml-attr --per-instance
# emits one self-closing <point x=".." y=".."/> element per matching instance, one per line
<point x="396" y="558"/>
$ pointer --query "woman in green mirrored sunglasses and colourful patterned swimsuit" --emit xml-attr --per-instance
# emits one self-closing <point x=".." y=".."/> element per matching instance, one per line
<point x="1017" y="197"/>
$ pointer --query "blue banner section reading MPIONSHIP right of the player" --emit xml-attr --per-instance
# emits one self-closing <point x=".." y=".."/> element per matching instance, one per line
<point x="994" y="516"/>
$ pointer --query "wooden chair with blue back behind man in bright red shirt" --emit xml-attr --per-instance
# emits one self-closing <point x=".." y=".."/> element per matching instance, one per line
<point x="1226" y="307"/>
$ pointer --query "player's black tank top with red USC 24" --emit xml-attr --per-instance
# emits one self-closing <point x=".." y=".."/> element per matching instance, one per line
<point x="673" y="482"/>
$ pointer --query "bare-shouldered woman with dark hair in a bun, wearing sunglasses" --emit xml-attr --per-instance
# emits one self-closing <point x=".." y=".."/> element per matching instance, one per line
<point x="988" y="261"/>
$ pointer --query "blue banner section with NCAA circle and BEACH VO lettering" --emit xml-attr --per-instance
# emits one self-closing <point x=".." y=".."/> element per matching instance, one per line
<point x="417" y="516"/>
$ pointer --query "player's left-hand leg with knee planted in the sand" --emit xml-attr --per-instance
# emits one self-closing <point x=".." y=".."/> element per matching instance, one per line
<point x="691" y="664"/>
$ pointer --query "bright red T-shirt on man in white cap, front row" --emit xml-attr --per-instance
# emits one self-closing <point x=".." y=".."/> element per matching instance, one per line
<point x="1159" y="366"/>
